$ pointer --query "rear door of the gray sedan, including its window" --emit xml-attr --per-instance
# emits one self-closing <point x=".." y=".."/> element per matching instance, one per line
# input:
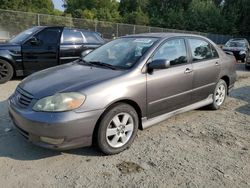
<point x="206" y="68"/>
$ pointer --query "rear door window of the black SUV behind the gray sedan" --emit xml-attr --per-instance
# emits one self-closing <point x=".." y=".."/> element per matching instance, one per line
<point x="70" y="36"/>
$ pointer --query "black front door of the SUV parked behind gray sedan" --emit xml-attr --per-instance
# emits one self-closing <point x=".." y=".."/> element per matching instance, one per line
<point x="42" y="50"/>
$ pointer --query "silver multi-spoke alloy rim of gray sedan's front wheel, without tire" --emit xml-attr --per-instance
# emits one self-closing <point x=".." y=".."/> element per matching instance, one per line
<point x="120" y="130"/>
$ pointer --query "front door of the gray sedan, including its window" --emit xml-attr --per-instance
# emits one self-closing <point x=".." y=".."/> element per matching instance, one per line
<point x="170" y="89"/>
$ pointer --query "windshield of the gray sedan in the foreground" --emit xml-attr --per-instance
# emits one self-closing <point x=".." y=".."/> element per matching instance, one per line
<point x="121" y="53"/>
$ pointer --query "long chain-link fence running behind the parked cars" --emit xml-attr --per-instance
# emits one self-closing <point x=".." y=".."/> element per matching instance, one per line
<point x="13" y="22"/>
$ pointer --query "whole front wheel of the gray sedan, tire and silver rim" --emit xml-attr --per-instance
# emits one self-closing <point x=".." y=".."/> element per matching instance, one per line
<point x="122" y="132"/>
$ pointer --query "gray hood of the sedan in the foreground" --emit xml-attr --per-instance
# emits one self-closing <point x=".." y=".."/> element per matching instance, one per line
<point x="70" y="77"/>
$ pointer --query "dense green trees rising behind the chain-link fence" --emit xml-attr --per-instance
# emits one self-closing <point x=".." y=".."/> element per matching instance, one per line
<point x="216" y="16"/>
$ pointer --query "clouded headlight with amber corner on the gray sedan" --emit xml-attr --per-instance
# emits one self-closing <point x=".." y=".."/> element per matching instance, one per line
<point x="60" y="102"/>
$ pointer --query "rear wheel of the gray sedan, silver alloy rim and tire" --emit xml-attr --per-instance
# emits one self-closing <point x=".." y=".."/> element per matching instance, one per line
<point x="219" y="96"/>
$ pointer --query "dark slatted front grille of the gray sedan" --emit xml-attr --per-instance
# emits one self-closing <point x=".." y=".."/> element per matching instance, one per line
<point x="23" y="98"/>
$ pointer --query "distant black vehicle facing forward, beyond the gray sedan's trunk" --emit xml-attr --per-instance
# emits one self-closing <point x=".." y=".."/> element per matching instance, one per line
<point x="239" y="47"/>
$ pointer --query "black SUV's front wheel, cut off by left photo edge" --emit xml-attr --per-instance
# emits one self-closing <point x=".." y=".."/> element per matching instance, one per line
<point x="6" y="71"/>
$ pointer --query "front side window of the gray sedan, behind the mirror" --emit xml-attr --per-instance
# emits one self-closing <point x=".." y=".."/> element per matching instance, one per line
<point x="173" y="50"/>
